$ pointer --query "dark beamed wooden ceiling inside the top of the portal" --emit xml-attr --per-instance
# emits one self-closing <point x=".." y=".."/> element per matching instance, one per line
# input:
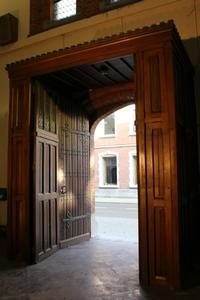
<point x="104" y="73"/>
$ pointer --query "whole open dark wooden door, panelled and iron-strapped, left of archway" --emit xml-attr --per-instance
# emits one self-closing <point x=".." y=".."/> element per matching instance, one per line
<point x="61" y="181"/>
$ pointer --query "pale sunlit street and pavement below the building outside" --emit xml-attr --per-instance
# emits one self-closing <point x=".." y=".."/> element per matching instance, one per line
<point x="115" y="221"/>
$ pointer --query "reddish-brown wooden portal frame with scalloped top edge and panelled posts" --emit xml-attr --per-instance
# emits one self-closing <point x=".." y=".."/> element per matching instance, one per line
<point x="162" y="72"/>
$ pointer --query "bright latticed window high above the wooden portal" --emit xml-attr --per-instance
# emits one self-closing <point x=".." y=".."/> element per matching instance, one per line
<point x="64" y="9"/>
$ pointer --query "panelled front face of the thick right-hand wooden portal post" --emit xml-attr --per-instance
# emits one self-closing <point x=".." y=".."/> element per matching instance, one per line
<point x="159" y="252"/>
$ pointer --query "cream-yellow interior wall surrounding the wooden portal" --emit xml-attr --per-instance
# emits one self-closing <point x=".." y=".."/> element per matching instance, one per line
<point x="185" y="13"/>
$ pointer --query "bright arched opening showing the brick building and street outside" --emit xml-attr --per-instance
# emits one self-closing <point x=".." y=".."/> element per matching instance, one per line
<point x="115" y="213"/>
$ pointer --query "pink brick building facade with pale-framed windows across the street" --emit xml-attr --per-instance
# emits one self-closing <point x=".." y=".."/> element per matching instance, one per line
<point x="116" y="157"/>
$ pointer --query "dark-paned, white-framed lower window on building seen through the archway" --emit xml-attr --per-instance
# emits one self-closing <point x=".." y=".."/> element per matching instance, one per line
<point x="110" y="170"/>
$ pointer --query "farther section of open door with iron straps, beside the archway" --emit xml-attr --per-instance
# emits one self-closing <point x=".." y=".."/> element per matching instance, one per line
<point x="74" y="181"/>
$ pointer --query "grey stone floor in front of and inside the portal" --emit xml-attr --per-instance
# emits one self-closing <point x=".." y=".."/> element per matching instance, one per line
<point x="98" y="270"/>
